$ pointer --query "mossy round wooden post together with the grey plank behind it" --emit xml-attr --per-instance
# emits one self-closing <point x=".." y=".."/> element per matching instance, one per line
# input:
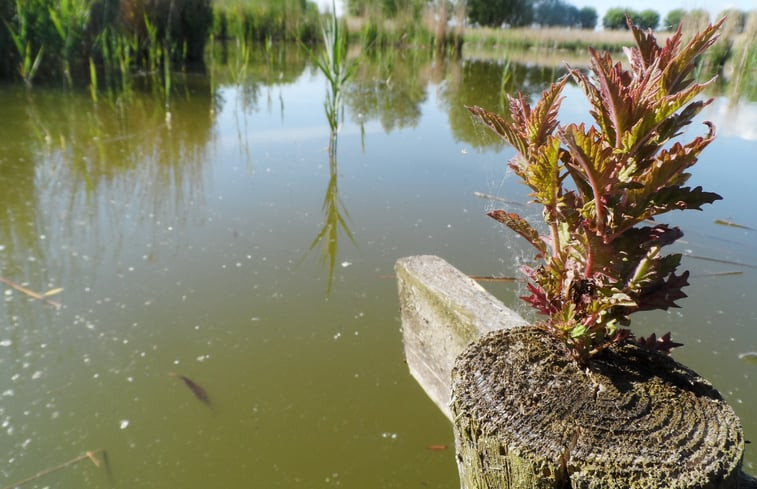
<point x="443" y="311"/>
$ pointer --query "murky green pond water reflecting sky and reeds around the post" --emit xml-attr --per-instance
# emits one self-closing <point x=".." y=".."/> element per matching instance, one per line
<point x="223" y="244"/>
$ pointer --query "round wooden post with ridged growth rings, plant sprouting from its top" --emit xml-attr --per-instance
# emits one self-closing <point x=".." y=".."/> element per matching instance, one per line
<point x="526" y="415"/>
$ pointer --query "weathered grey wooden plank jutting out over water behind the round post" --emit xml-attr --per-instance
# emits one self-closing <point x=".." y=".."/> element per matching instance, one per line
<point x="442" y="311"/>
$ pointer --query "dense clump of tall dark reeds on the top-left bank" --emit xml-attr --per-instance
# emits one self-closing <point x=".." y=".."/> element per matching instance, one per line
<point x="57" y="38"/>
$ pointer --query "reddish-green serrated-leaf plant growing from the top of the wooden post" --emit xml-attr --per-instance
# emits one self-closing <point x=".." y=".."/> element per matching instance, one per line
<point x="603" y="258"/>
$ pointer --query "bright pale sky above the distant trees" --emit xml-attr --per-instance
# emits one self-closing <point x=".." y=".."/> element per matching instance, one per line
<point x="662" y="7"/>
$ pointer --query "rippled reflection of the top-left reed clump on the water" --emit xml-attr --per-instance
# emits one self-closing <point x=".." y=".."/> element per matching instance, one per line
<point x="88" y="164"/>
